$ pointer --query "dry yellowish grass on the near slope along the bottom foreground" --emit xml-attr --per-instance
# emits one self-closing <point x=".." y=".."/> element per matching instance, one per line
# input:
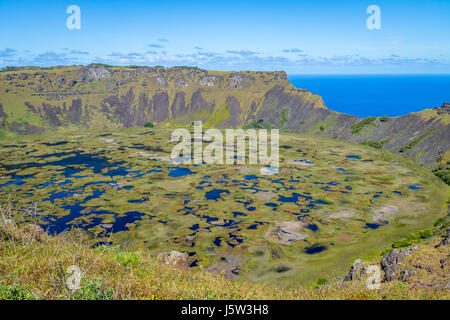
<point x="33" y="268"/>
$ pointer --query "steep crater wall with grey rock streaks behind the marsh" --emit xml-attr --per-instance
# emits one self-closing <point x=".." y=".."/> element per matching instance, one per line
<point x="97" y="96"/>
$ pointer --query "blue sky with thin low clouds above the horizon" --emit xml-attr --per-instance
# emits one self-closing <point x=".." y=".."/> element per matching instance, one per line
<point x="311" y="37"/>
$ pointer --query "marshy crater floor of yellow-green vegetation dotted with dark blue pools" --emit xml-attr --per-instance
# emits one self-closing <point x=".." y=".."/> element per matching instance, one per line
<point x="135" y="178"/>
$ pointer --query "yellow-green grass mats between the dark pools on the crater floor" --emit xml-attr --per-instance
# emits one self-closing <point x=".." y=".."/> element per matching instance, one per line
<point x="418" y="209"/>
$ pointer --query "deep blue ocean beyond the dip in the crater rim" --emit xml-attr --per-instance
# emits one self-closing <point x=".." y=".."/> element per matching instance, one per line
<point x="377" y="95"/>
